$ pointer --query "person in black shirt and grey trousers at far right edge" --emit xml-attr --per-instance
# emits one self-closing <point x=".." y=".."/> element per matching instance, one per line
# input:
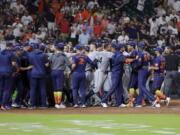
<point x="172" y="64"/>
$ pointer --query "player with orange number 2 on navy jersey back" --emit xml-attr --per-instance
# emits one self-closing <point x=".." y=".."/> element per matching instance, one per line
<point x="79" y="62"/>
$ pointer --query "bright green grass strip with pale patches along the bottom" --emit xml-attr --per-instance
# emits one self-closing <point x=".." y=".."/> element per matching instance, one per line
<point x="130" y="124"/>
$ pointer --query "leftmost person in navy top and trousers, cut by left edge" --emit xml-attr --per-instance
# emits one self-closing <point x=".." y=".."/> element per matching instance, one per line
<point x="7" y="62"/>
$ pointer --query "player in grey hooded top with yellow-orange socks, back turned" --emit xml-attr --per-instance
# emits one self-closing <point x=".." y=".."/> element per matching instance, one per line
<point x="58" y="61"/>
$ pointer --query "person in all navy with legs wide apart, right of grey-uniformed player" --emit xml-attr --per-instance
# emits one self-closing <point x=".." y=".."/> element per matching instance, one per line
<point x="118" y="60"/>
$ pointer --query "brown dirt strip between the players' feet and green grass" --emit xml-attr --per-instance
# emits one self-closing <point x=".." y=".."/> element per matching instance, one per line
<point x="173" y="108"/>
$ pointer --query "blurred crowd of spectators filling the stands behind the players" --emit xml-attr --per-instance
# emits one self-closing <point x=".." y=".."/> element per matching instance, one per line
<point x="85" y="21"/>
